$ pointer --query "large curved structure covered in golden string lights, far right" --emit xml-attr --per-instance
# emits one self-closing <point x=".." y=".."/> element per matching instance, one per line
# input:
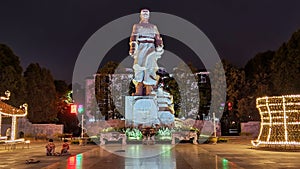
<point x="280" y="120"/>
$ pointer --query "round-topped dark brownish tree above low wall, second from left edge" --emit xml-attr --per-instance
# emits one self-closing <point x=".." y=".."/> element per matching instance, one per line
<point x="41" y="94"/>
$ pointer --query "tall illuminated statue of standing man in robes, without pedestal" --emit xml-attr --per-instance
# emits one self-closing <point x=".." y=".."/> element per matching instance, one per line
<point x="146" y="47"/>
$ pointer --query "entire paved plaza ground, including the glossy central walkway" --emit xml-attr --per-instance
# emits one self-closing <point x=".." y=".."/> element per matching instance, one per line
<point x="236" y="153"/>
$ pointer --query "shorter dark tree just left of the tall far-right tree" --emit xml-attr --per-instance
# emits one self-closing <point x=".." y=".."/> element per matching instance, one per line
<point x="258" y="83"/>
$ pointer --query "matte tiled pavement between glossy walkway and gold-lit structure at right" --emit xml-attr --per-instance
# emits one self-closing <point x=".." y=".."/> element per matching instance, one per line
<point x="240" y="152"/>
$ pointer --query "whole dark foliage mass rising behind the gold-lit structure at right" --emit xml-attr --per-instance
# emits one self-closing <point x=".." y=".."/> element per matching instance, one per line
<point x="271" y="73"/>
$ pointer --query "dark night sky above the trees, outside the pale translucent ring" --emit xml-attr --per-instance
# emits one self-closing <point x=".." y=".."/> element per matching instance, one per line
<point x="52" y="32"/>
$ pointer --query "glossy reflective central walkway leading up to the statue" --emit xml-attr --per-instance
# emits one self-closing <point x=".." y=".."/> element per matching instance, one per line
<point x="147" y="157"/>
